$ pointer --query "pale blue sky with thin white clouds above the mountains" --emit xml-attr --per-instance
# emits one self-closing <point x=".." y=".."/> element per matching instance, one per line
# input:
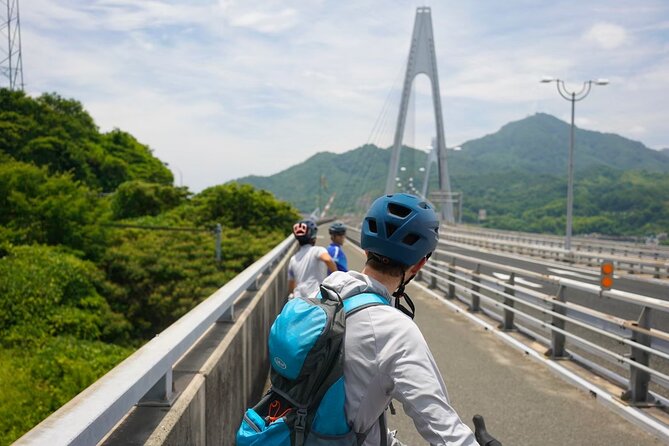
<point x="222" y="89"/>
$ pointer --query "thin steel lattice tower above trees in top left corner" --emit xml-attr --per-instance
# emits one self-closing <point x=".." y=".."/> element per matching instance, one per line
<point x="11" y="60"/>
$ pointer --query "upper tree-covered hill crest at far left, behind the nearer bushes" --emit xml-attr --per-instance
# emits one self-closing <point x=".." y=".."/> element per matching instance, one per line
<point x="60" y="135"/>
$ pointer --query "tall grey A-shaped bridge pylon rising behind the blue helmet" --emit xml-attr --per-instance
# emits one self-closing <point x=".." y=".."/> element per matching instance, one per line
<point x="423" y="60"/>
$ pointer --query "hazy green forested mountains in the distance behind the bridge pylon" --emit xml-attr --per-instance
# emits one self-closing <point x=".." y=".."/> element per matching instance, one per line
<point x="517" y="174"/>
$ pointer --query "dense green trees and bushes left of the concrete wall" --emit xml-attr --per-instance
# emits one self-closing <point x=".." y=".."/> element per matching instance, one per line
<point x="100" y="252"/>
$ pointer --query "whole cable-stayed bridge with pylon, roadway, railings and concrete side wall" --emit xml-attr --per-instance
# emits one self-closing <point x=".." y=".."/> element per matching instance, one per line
<point x="521" y="328"/>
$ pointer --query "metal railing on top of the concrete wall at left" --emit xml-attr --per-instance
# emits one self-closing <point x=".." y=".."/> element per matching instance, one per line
<point x="146" y="375"/>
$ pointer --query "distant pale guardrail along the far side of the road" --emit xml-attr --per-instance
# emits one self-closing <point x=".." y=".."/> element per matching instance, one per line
<point x="633" y="265"/>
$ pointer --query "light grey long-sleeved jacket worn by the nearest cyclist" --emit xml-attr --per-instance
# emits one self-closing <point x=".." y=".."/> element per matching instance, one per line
<point x="385" y="358"/>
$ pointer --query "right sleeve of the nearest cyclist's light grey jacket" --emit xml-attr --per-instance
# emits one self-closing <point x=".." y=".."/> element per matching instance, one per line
<point x="417" y="384"/>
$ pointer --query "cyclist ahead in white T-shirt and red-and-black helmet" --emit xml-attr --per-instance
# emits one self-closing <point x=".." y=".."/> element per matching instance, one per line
<point x="310" y="264"/>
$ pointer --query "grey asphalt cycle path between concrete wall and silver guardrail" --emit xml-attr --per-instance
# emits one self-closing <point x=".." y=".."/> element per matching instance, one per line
<point x="523" y="402"/>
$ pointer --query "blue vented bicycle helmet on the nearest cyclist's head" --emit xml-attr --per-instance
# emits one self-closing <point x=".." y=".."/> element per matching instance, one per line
<point x="401" y="227"/>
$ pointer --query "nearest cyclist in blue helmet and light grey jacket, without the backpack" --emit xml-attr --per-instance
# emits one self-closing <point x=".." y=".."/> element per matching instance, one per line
<point x="385" y="354"/>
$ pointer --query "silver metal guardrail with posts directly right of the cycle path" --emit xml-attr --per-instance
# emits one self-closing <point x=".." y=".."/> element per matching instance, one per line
<point x="586" y="328"/>
